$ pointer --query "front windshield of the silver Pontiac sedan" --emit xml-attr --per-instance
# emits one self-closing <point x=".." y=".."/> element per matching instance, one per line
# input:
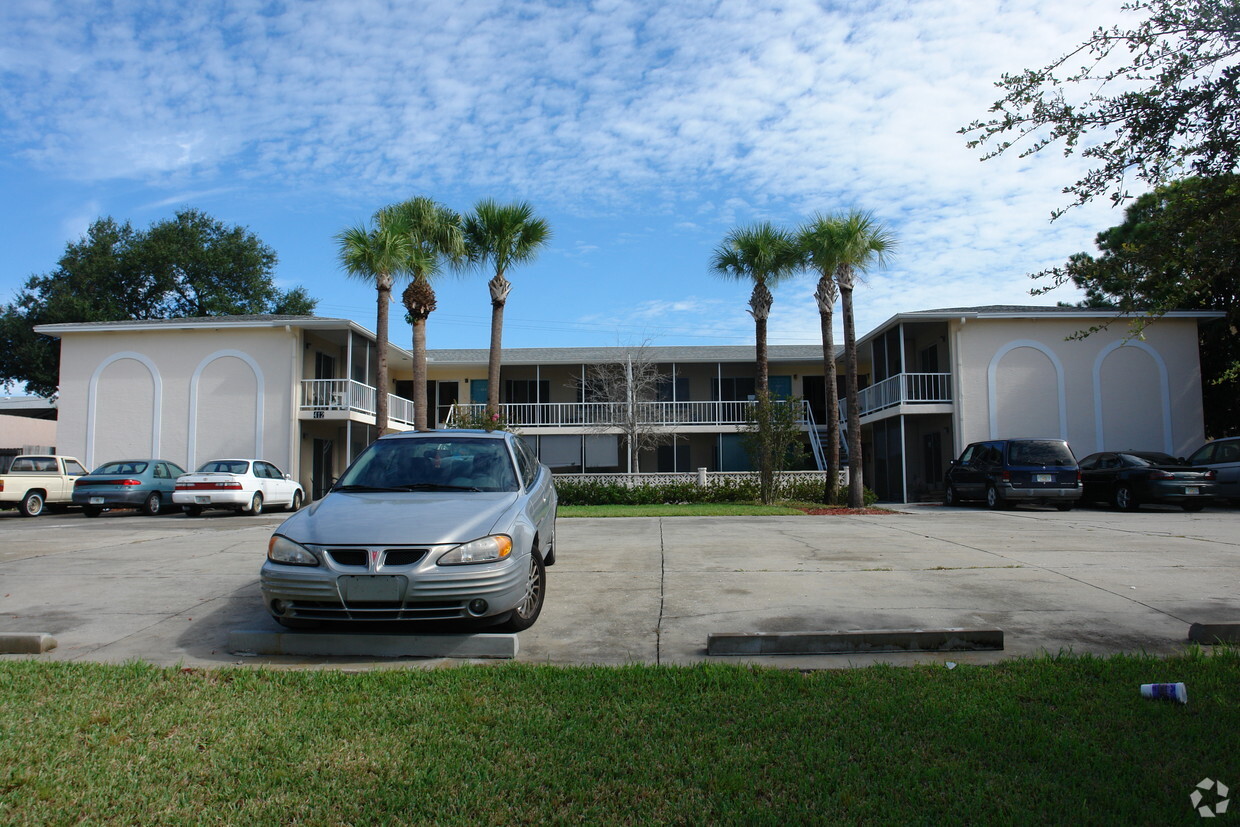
<point x="428" y="464"/>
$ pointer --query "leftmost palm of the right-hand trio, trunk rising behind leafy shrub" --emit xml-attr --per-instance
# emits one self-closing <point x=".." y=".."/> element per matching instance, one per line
<point x="764" y="255"/>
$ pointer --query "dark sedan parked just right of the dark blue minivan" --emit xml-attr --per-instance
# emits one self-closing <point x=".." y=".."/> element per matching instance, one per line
<point x="1128" y="479"/>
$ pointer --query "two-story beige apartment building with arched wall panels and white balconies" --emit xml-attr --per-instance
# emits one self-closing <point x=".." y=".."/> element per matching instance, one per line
<point x="299" y="391"/>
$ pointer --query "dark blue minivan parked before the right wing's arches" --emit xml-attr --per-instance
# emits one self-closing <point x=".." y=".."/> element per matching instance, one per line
<point x="1004" y="472"/>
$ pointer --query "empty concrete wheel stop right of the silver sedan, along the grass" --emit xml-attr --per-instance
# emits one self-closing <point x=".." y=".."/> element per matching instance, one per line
<point x="856" y="643"/>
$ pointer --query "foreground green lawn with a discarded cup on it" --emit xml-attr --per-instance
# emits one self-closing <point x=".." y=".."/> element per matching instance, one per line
<point x="1058" y="740"/>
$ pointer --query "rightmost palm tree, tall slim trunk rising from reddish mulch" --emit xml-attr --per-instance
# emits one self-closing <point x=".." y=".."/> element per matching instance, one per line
<point x="861" y="244"/>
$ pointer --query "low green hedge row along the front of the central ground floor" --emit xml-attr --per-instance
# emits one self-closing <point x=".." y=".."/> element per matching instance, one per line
<point x="576" y="493"/>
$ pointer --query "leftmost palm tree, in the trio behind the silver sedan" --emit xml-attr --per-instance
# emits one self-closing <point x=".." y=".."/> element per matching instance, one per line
<point x="378" y="255"/>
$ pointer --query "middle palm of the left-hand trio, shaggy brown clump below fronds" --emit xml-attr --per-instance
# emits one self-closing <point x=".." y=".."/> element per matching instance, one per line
<point x="435" y="235"/>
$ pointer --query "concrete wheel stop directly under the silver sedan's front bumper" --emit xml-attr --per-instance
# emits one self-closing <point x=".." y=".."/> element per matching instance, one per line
<point x="347" y="645"/>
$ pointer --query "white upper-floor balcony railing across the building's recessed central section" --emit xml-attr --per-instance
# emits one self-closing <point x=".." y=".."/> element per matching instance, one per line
<point x="671" y="415"/>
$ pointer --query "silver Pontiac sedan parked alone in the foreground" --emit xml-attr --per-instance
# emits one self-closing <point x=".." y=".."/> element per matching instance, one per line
<point x="449" y="525"/>
